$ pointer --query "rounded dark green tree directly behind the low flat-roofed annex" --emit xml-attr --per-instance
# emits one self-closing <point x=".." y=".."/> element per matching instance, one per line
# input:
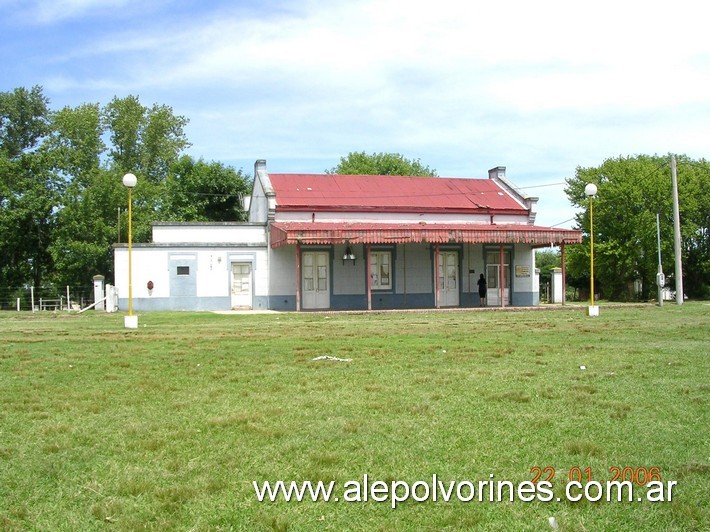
<point x="201" y="191"/>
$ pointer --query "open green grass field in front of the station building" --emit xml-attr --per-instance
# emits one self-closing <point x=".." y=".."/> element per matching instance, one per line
<point x="167" y="426"/>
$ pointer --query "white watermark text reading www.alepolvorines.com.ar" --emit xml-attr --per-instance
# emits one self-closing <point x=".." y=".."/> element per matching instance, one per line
<point x="437" y="490"/>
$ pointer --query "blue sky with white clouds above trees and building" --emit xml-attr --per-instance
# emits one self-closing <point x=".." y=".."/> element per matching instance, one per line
<point x="462" y="85"/>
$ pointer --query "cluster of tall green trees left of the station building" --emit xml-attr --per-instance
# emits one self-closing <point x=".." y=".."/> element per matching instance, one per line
<point x="61" y="196"/>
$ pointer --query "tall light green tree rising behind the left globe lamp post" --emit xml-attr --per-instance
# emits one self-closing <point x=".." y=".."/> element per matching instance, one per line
<point x="145" y="141"/>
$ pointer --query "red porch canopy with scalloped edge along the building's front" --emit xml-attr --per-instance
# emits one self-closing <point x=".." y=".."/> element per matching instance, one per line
<point x="286" y="233"/>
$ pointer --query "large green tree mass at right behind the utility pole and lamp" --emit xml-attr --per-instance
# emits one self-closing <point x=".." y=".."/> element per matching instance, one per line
<point x="631" y="190"/>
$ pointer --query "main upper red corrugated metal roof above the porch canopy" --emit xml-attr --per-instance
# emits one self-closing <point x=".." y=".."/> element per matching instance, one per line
<point x="300" y="192"/>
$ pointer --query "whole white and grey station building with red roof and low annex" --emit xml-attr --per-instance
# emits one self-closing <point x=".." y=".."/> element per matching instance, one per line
<point x="322" y="241"/>
